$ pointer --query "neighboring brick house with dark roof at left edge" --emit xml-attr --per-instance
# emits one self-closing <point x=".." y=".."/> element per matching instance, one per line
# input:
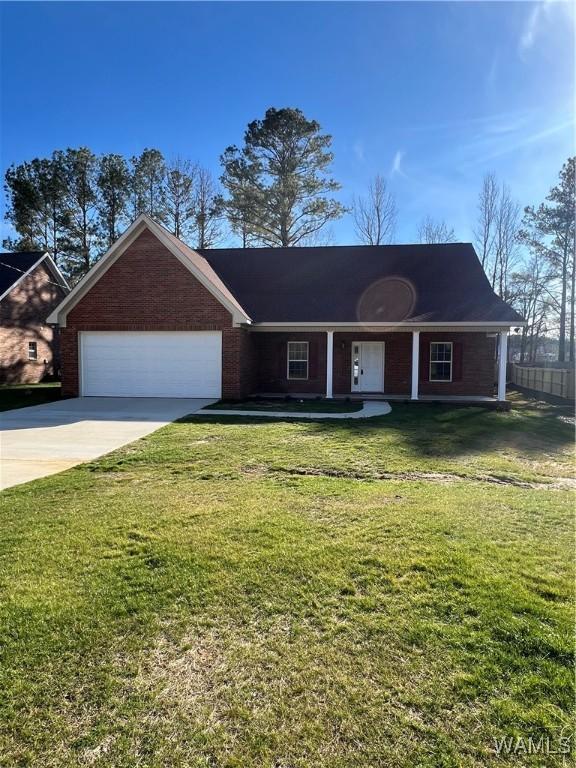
<point x="31" y="286"/>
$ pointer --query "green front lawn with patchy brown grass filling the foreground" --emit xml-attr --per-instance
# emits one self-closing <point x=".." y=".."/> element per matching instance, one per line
<point x="233" y="592"/>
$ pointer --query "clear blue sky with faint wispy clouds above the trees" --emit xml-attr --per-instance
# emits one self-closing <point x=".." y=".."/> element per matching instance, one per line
<point x="432" y="95"/>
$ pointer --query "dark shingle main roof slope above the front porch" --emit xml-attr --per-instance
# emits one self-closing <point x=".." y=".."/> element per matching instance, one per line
<point x="390" y="283"/>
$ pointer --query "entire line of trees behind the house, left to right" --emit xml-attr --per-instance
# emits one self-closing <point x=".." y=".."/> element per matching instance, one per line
<point x="277" y="189"/>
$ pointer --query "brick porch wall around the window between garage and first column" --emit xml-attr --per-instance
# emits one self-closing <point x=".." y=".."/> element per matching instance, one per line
<point x="272" y="362"/>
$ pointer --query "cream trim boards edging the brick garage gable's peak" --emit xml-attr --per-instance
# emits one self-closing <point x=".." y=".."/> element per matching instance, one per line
<point x="143" y="222"/>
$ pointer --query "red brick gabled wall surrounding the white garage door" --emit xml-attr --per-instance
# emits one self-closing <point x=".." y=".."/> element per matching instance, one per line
<point x="148" y="289"/>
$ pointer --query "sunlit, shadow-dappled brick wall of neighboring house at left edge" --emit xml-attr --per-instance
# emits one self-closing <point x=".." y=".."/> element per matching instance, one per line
<point x="23" y="314"/>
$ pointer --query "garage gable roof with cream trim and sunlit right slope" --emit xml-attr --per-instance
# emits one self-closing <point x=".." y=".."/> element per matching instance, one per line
<point x="192" y="260"/>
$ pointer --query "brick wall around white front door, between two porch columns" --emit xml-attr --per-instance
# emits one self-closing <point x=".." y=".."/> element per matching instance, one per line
<point x="397" y="361"/>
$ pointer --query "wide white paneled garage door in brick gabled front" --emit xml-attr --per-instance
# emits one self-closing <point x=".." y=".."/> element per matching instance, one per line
<point x="151" y="363"/>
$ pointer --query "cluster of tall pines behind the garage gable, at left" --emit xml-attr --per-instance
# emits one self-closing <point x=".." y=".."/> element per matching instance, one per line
<point x="75" y="204"/>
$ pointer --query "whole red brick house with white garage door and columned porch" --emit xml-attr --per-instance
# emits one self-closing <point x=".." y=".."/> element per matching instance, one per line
<point x="155" y="318"/>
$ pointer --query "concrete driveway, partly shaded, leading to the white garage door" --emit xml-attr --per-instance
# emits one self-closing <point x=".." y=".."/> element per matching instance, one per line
<point x="45" y="439"/>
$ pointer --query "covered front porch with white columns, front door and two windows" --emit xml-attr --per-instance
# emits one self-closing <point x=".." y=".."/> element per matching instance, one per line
<point x="420" y="365"/>
